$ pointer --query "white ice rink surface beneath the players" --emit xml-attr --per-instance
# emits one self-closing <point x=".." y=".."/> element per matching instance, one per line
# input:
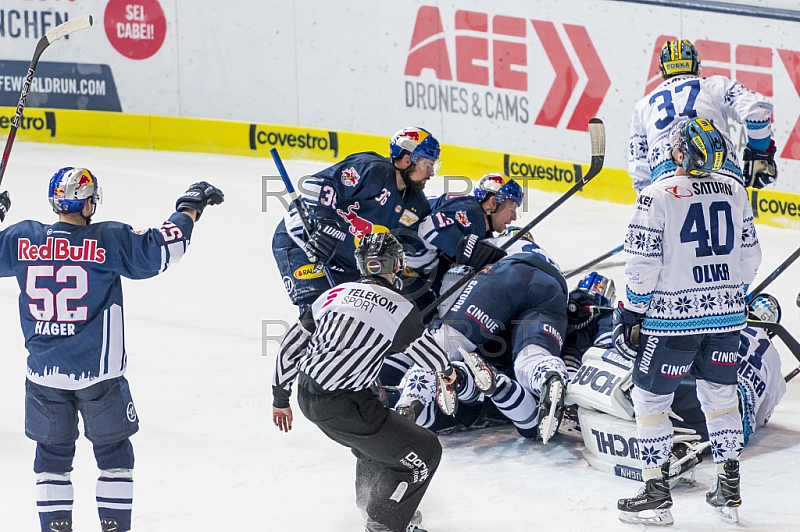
<point x="208" y="456"/>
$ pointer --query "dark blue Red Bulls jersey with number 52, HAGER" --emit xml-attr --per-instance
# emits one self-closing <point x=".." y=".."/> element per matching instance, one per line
<point x="70" y="301"/>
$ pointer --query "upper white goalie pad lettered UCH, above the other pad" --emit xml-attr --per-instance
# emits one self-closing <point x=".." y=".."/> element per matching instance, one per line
<point x="602" y="383"/>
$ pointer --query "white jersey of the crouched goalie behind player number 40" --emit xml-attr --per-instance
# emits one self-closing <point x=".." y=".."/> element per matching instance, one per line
<point x="761" y="383"/>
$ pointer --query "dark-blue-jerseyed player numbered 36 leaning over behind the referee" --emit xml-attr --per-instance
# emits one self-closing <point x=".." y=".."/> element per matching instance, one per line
<point x="364" y="193"/>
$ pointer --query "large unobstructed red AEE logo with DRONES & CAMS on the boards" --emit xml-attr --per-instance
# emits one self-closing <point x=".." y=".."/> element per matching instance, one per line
<point x="494" y="53"/>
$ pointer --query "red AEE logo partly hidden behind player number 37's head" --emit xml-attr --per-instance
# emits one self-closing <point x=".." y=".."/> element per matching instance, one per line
<point x="750" y="65"/>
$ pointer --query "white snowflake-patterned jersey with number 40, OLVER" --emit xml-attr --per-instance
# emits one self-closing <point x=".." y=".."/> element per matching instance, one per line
<point x="691" y="249"/>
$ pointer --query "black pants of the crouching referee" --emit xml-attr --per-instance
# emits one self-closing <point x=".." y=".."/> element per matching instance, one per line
<point x="396" y="458"/>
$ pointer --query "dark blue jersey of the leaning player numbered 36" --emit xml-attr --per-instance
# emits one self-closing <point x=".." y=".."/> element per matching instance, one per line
<point x="361" y="193"/>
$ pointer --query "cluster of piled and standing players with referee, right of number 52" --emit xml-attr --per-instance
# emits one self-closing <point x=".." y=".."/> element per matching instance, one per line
<point x="515" y="334"/>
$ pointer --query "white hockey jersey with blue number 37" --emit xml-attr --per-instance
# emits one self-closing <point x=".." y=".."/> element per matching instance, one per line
<point x="716" y="98"/>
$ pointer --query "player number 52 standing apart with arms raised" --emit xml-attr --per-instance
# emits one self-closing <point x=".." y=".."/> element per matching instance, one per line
<point x="71" y="313"/>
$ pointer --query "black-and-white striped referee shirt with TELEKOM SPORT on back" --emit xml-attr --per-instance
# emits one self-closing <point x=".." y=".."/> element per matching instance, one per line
<point x="341" y="341"/>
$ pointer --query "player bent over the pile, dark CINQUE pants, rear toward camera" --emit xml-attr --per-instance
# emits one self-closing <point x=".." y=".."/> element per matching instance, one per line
<point x="514" y="312"/>
